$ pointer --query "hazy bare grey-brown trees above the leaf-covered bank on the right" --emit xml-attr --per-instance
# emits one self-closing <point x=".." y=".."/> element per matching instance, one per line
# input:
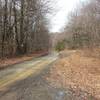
<point x="84" y="26"/>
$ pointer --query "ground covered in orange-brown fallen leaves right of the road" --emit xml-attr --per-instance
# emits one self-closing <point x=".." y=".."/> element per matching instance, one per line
<point x="78" y="72"/>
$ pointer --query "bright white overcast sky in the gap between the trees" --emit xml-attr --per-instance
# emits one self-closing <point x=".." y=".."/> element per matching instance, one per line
<point x="63" y="8"/>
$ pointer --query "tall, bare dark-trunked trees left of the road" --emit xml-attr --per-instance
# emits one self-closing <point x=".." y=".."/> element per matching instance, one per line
<point x="23" y="26"/>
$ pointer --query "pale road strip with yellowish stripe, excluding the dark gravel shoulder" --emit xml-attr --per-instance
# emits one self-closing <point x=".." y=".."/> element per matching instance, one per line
<point x="23" y="70"/>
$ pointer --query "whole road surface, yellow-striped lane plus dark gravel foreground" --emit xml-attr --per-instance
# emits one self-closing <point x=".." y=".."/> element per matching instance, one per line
<point x="25" y="81"/>
